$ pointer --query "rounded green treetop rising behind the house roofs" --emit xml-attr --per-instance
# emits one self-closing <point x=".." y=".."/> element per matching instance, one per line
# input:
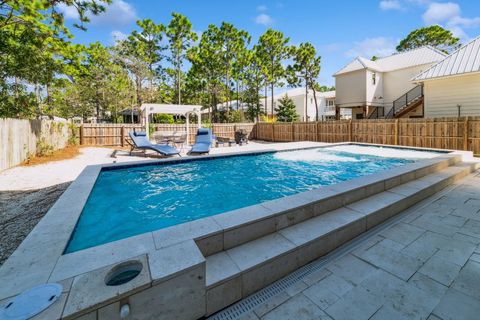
<point x="434" y="36"/>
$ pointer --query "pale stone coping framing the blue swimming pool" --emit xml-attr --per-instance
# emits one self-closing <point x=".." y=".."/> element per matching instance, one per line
<point x="39" y="259"/>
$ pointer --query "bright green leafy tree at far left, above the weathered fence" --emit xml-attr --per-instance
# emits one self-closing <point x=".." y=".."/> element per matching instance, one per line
<point x="34" y="49"/>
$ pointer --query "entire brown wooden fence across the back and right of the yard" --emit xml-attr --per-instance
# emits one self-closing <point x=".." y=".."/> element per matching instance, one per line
<point x="442" y="133"/>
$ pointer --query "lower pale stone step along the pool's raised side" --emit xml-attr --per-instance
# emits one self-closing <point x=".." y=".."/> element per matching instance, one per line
<point x="242" y="270"/>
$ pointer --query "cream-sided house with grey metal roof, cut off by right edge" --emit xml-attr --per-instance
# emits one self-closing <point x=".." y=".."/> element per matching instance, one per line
<point x="452" y="86"/>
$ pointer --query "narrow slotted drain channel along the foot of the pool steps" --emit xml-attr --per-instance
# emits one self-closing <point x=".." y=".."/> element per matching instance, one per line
<point x="251" y="302"/>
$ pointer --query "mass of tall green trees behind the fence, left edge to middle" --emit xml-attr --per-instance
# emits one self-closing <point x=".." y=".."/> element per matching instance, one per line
<point x="43" y="72"/>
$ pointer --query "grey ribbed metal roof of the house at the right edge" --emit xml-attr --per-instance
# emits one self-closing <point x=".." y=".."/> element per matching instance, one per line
<point x="464" y="60"/>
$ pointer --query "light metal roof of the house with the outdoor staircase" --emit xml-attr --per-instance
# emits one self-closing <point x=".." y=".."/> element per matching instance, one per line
<point x="411" y="58"/>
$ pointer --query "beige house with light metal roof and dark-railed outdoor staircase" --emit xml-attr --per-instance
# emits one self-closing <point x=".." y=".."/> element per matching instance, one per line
<point x="383" y="88"/>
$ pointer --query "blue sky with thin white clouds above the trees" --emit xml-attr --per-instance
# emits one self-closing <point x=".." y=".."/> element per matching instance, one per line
<point x="340" y="30"/>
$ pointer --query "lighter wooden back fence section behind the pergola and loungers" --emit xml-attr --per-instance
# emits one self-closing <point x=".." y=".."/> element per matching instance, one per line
<point x="115" y="134"/>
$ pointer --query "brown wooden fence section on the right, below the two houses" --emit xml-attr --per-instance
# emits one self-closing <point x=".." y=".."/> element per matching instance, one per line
<point x="443" y="133"/>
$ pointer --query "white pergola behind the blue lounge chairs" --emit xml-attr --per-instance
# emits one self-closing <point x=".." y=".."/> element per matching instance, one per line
<point x="175" y="109"/>
